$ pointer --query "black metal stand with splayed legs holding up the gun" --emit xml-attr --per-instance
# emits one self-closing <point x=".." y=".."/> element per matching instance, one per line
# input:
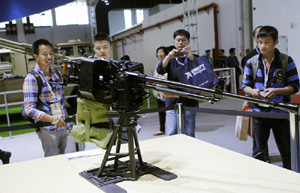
<point x="105" y="176"/>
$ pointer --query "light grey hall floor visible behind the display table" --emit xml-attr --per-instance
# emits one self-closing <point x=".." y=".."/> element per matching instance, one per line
<point x="213" y="128"/>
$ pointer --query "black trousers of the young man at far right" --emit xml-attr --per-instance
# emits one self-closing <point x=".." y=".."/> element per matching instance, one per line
<point x="261" y="133"/>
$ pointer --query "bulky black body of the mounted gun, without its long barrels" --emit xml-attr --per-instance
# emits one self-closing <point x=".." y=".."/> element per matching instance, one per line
<point x="105" y="81"/>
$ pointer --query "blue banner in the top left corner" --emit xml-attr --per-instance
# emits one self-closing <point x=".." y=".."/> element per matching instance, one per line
<point x="15" y="9"/>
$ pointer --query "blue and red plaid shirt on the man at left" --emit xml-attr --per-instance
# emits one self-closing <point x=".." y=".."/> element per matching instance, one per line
<point x="30" y="90"/>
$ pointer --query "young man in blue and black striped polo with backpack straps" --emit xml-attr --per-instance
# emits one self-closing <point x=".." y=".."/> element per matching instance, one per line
<point x="274" y="84"/>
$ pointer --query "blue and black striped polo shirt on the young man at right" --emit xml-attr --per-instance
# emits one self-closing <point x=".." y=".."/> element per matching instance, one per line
<point x="274" y="79"/>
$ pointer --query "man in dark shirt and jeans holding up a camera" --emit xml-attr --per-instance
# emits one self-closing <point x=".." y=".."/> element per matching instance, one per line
<point x="171" y="64"/>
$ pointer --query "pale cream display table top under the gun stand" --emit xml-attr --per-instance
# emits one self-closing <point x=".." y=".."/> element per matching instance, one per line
<point x="200" y="167"/>
